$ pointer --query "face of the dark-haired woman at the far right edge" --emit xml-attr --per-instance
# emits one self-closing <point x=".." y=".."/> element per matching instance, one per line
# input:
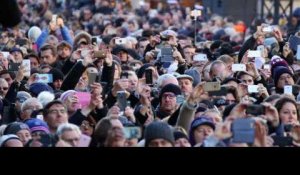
<point x="288" y="114"/>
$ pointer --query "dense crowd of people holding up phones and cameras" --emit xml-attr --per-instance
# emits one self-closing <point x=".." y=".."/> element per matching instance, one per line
<point x="102" y="73"/>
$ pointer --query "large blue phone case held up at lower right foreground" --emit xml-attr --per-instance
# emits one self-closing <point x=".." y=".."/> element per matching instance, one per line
<point x="243" y="130"/>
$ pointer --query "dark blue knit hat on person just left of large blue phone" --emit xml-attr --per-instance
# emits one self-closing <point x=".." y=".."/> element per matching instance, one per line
<point x="202" y="120"/>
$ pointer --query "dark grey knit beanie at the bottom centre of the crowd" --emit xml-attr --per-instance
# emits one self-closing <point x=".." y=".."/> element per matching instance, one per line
<point x="158" y="130"/>
